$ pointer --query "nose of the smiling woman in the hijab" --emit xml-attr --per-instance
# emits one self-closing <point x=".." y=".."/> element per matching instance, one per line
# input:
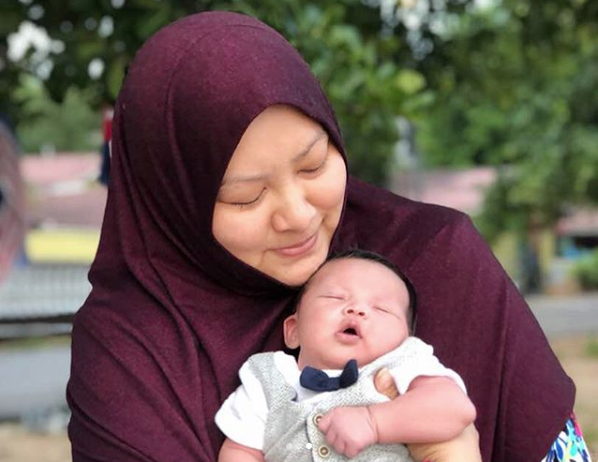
<point x="294" y="213"/>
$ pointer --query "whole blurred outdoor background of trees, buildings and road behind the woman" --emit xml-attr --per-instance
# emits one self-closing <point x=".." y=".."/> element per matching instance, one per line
<point x="486" y="106"/>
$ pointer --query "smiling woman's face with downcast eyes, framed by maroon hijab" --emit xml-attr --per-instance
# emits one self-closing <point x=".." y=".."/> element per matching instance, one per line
<point x="281" y="196"/>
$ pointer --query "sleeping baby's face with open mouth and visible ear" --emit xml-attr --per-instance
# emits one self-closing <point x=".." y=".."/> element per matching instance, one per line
<point x="352" y="309"/>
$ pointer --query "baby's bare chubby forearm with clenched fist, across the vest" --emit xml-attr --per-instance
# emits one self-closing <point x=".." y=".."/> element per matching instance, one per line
<point x="433" y="409"/>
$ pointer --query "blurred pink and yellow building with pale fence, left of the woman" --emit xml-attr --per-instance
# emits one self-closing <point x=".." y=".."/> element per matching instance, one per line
<point x="64" y="211"/>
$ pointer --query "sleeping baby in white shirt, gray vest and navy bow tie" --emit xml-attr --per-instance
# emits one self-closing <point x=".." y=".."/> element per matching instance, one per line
<point x="356" y="311"/>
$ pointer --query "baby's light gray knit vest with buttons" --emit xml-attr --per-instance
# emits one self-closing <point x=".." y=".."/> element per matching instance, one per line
<point x="292" y="434"/>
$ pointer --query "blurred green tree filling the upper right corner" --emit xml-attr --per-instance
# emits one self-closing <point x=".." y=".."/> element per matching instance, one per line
<point x="514" y="86"/>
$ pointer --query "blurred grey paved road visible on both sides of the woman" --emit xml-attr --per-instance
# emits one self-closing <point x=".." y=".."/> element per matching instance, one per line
<point x="34" y="380"/>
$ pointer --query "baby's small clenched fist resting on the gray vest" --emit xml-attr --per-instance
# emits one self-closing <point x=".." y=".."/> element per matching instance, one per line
<point x="349" y="430"/>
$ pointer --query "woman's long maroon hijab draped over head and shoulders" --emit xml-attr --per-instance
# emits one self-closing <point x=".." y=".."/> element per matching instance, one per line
<point x="172" y="315"/>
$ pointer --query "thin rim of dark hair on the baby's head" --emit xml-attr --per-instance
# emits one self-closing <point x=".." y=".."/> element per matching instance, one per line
<point x="377" y="258"/>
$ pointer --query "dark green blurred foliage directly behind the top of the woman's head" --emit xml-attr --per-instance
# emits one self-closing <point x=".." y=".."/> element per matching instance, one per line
<point x="366" y="69"/>
